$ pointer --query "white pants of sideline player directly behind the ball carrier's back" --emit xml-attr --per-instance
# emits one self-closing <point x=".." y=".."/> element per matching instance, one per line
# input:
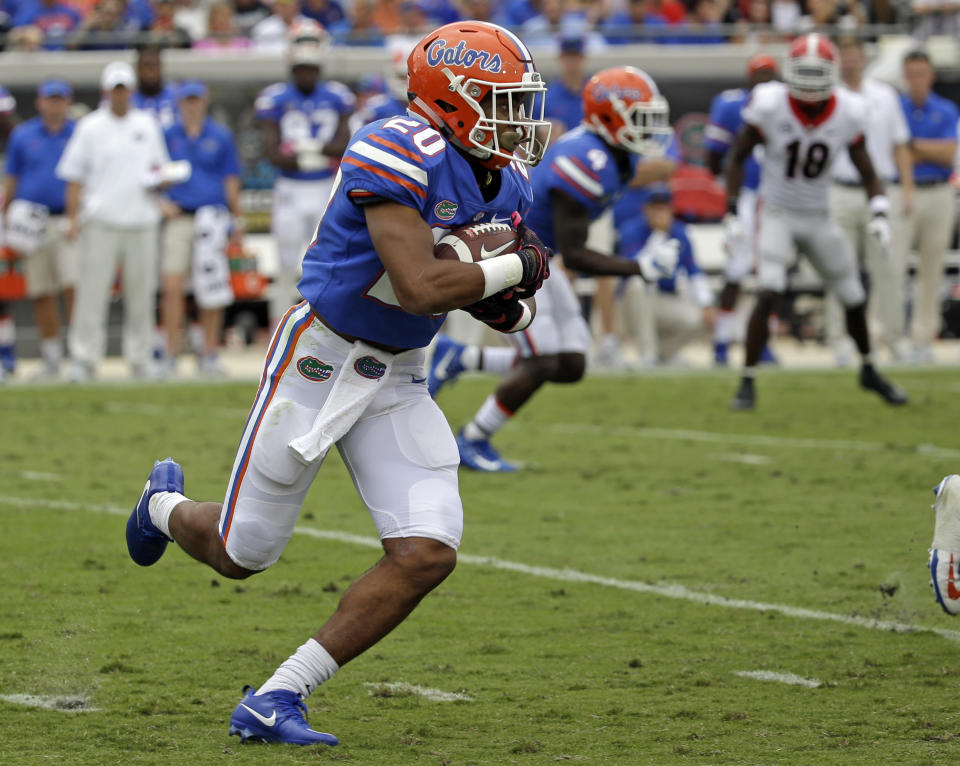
<point x="297" y="209"/>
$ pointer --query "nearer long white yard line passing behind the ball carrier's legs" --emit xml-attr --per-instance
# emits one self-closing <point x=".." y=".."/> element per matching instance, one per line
<point x="665" y="590"/>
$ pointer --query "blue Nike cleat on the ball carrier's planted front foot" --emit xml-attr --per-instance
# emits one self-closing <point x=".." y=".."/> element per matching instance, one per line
<point x="278" y="716"/>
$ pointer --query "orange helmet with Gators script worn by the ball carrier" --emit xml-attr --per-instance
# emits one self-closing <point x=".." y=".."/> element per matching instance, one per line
<point x="477" y="84"/>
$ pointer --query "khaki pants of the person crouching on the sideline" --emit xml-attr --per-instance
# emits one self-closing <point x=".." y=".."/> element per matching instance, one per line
<point x="661" y="323"/>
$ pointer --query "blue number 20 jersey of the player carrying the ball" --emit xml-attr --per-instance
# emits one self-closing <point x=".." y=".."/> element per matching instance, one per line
<point x="401" y="160"/>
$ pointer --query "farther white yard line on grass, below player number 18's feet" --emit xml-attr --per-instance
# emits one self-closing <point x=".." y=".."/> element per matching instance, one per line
<point x="716" y="437"/>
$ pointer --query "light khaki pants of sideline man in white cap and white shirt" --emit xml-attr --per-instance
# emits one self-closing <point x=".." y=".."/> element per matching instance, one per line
<point x="102" y="249"/>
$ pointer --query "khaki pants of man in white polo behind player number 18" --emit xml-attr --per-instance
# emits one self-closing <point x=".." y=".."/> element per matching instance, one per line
<point x="849" y="206"/>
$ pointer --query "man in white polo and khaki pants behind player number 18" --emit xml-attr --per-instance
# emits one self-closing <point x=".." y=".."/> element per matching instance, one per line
<point x="888" y="140"/>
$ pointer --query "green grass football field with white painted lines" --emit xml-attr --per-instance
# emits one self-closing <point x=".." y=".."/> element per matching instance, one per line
<point x="577" y="623"/>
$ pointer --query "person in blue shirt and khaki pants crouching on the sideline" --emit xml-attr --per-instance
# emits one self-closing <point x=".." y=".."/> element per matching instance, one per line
<point x="678" y="307"/>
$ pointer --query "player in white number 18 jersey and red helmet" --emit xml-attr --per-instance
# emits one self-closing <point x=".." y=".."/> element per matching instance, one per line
<point x="804" y="123"/>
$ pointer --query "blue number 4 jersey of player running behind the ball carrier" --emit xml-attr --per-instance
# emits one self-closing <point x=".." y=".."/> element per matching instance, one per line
<point x="582" y="166"/>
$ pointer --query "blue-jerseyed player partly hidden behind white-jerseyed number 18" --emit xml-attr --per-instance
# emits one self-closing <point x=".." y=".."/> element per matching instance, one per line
<point x="725" y="122"/>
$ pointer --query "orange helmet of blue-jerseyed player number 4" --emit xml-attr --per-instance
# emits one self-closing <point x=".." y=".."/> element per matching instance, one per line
<point x="625" y="108"/>
